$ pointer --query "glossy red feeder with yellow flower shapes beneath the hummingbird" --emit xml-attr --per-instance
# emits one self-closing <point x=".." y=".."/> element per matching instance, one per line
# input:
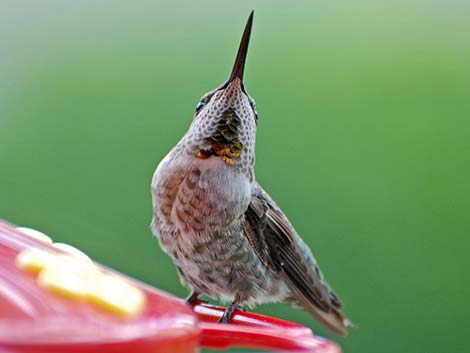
<point x="54" y="299"/>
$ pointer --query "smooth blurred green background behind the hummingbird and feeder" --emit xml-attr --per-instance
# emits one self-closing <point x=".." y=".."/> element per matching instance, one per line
<point x="363" y="140"/>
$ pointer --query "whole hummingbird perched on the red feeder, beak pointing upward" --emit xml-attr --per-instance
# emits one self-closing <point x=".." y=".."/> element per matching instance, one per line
<point x="226" y="236"/>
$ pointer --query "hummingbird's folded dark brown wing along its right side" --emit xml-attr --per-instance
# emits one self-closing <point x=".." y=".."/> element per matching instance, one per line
<point x="278" y="246"/>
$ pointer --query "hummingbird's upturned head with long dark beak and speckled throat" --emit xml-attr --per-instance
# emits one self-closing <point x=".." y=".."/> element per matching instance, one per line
<point x="224" y="124"/>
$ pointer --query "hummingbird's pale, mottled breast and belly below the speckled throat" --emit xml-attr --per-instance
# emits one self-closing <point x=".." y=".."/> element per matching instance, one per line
<point x="197" y="213"/>
